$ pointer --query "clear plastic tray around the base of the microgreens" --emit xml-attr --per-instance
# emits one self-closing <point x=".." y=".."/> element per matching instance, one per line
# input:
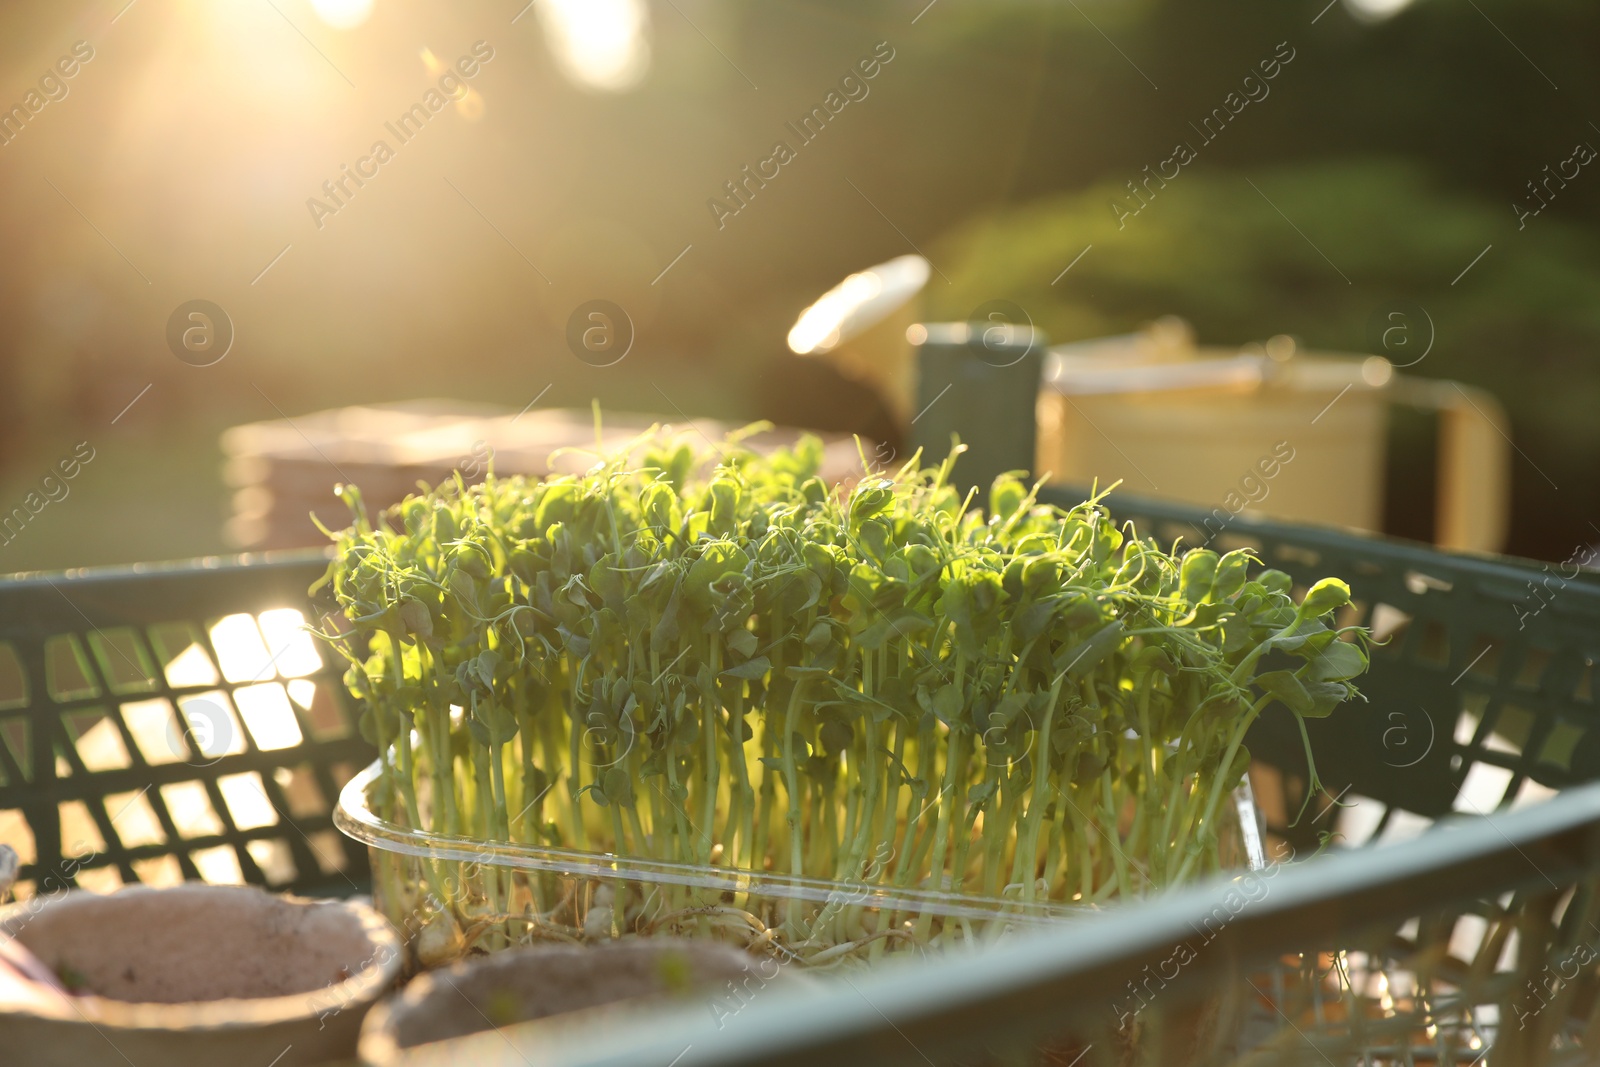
<point x="455" y="895"/>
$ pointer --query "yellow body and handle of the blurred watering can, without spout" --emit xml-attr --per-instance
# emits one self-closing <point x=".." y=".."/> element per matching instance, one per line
<point x="1274" y="433"/>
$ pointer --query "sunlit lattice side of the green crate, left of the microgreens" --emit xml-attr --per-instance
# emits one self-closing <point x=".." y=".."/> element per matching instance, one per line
<point x="174" y="722"/>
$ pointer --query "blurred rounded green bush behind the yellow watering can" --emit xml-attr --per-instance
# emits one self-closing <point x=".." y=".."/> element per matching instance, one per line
<point x="1214" y="249"/>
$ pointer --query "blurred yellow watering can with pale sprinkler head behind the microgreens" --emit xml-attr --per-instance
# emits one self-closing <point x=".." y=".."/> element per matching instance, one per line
<point x="1271" y="430"/>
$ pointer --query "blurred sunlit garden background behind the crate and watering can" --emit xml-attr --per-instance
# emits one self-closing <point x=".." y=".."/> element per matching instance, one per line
<point x="1388" y="156"/>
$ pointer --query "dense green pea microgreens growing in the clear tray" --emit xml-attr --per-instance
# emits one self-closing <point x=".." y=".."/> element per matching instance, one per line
<point x="753" y="671"/>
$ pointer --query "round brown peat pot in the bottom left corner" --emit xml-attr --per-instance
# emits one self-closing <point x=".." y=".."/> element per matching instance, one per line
<point x="196" y="975"/>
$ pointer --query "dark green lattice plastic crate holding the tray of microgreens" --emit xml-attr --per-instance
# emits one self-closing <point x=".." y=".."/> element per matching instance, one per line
<point x="1351" y="959"/>
